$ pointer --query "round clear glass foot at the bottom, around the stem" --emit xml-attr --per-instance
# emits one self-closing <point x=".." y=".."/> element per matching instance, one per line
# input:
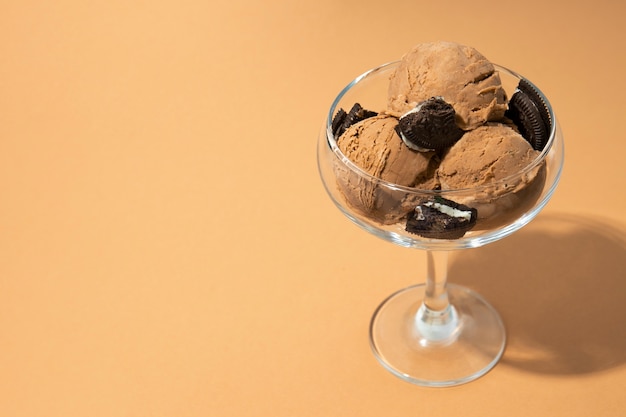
<point x="471" y="350"/>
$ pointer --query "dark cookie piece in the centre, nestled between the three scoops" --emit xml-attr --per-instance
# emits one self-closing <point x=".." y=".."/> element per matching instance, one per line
<point x="429" y="126"/>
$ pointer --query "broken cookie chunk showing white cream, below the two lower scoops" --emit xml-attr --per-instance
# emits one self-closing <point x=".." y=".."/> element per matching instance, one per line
<point x="440" y="218"/>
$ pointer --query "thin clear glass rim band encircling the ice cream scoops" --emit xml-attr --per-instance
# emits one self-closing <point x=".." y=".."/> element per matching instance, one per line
<point x="511" y="179"/>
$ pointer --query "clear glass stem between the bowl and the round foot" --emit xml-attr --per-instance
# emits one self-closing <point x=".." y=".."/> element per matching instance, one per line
<point x="436" y="319"/>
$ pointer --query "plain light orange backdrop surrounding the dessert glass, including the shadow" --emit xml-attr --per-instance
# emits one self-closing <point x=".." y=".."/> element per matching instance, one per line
<point x="167" y="248"/>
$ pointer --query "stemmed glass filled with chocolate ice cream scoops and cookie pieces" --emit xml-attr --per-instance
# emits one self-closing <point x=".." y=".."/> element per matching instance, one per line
<point x="439" y="151"/>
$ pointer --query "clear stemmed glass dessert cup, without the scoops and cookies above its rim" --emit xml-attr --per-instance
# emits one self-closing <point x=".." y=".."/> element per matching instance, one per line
<point x="435" y="333"/>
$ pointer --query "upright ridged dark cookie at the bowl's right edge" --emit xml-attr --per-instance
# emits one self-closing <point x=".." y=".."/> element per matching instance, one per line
<point x="530" y="114"/>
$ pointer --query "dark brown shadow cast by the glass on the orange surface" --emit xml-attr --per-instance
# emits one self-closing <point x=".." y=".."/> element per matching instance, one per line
<point x="560" y="287"/>
